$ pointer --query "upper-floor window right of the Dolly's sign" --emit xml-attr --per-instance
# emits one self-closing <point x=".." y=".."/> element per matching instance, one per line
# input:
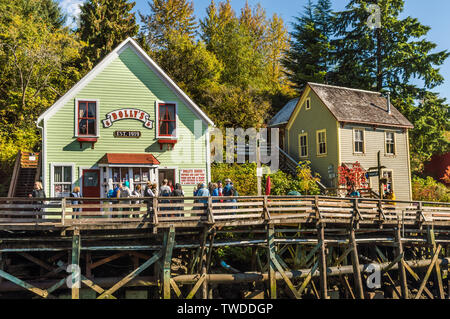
<point x="166" y="120"/>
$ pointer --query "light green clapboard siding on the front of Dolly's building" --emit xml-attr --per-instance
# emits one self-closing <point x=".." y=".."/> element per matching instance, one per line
<point x="127" y="82"/>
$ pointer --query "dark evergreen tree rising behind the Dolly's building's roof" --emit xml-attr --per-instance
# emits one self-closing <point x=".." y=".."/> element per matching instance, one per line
<point x="104" y="24"/>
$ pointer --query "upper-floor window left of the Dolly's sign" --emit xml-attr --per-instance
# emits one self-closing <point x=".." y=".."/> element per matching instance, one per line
<point x="87" y="118"/>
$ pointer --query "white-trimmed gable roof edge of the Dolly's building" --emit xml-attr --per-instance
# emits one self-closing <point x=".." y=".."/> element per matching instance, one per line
<point x="128" y="43"/>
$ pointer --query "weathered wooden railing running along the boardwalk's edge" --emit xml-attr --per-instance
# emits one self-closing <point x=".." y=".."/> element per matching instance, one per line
<point x="98" y="213"/>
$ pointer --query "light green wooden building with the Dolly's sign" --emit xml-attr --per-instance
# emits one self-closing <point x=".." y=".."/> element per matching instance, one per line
<point x="126" y="120"/>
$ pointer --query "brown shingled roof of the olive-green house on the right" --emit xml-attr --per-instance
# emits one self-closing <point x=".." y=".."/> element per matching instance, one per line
<point x="359" y="106"/>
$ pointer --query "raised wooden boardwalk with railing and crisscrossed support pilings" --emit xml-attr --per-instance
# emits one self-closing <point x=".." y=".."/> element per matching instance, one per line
<point x="295" y="241"/>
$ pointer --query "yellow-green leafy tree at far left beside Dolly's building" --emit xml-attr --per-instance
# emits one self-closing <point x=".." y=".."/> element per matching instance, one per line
<point x="38" y="63"/>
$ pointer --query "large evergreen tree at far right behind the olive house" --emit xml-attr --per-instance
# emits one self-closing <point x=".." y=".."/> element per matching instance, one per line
<point x="386" y="57"/>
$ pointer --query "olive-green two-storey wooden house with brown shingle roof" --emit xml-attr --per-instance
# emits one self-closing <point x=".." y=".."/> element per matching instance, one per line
<point x="333" y="126"/>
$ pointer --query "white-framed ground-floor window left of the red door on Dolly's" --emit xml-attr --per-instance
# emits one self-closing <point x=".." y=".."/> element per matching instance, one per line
<point x="61" y="179"/>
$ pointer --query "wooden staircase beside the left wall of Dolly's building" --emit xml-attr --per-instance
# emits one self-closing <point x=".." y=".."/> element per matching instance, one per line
<point x="26" y="171"/>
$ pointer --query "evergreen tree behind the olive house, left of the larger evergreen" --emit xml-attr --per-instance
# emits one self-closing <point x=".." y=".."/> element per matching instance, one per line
<point x="310" y="49"/>
